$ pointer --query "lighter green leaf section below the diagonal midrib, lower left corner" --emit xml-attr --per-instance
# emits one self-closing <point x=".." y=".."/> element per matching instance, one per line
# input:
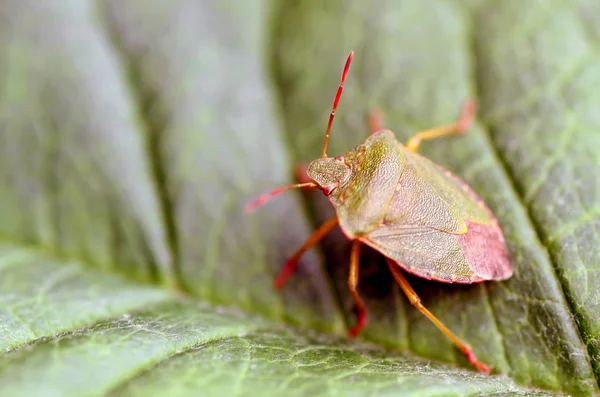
<point x="74" y="331"/>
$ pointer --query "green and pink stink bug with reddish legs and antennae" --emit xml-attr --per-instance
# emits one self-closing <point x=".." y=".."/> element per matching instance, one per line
<point x="421" y="217"/>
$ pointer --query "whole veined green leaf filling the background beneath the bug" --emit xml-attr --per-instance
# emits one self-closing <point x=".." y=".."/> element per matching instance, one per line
<point x="132" y="132"/>
